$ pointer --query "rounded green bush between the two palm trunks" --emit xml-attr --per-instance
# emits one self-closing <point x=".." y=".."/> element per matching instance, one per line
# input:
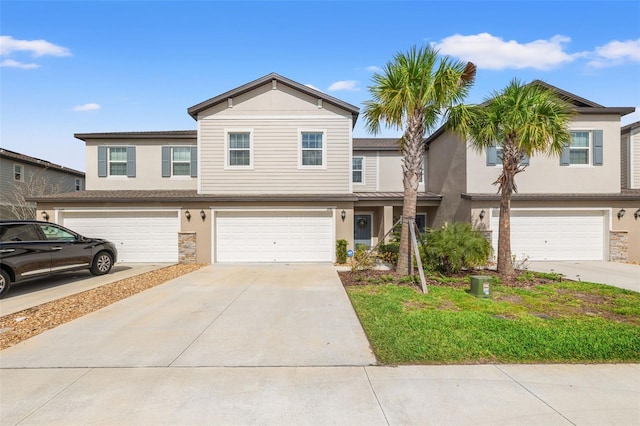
<point x="454" y="247"/>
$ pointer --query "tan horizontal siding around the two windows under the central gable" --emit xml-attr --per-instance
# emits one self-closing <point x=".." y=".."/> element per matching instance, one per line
<point x="275" y="157"/>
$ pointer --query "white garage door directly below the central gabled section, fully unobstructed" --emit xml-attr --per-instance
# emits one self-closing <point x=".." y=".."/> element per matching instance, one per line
<point x="274" y="236"/>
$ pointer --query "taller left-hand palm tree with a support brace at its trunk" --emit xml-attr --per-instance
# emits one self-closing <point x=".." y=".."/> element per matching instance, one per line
<point x="410" y="94"/>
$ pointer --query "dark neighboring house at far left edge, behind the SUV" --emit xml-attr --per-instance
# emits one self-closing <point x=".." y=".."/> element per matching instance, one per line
<point x="24" y="176"/>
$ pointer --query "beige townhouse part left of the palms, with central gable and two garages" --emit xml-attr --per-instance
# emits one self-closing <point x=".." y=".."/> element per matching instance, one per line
<point x="268" y="175"/>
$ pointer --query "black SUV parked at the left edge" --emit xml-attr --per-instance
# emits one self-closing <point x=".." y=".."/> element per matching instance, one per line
<point x="30" y="248"/>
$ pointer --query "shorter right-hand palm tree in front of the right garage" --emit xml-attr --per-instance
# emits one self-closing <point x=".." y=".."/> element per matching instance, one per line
<point x="524" y="119"/>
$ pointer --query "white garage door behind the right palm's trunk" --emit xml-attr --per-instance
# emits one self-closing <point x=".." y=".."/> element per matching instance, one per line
<point x="554" y="235"/>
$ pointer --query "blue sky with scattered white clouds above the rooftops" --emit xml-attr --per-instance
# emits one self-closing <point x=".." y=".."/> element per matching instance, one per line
<point x="101" y="66"/>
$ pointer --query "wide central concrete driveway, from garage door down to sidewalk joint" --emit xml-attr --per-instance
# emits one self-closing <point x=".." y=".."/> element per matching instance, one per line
<point x="234" y="315"/>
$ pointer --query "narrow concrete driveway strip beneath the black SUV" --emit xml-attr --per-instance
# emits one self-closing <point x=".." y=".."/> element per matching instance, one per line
<point x="30" y="293"/>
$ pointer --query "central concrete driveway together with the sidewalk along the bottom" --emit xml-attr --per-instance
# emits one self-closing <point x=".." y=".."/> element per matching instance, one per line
<point x="276" y="345"/>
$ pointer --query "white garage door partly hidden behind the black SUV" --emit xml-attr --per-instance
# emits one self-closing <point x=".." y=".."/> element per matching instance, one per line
<point x="139" y="236"/>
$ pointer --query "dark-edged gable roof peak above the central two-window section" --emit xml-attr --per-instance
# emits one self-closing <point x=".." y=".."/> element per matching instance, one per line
<point x="194" y="110"/>
